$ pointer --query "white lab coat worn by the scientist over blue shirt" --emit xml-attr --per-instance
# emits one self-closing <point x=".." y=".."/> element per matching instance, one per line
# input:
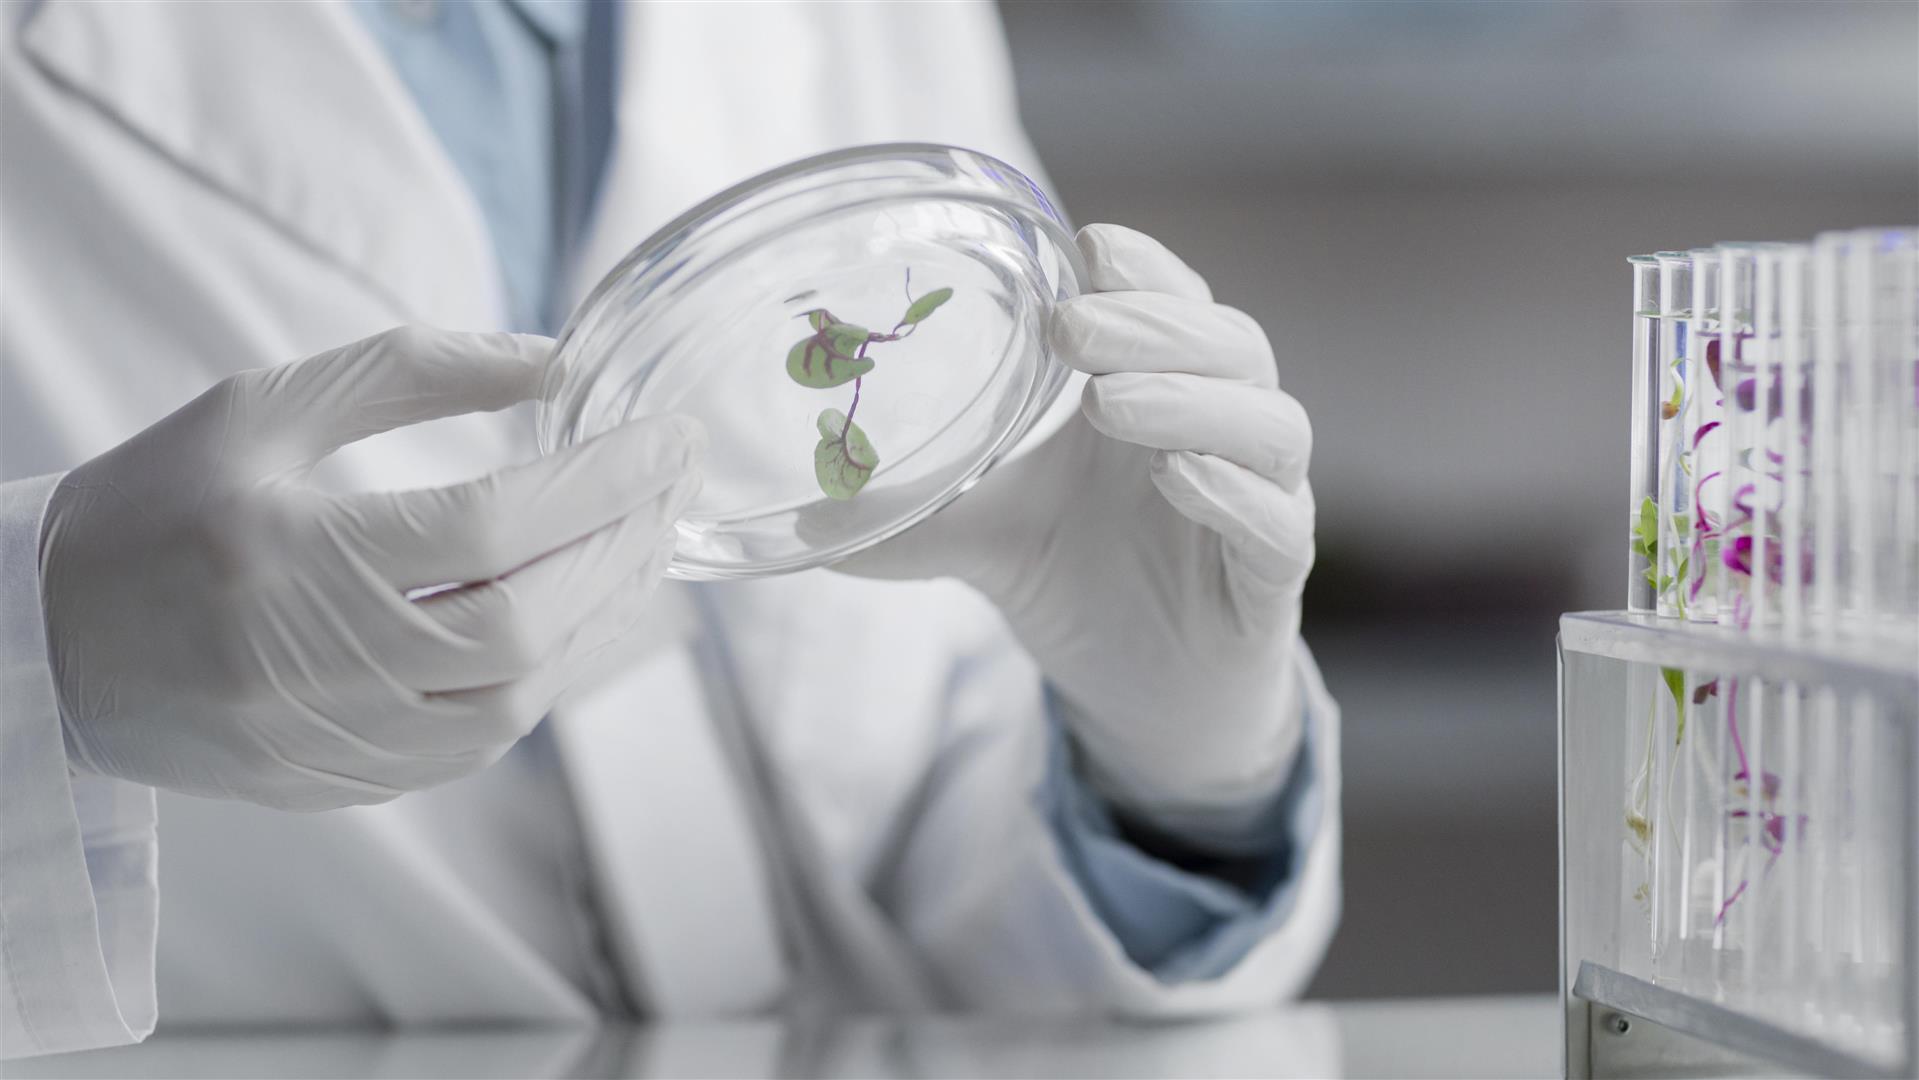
<point x="199" y="189"/>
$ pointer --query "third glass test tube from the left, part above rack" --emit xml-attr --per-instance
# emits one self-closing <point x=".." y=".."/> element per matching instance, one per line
<point x="1705" y="433"/>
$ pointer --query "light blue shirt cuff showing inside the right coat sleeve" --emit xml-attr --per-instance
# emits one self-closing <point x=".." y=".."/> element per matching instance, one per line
<point x="1173" y="922"/>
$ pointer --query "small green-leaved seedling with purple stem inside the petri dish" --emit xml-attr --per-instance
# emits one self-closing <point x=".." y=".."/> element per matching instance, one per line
<point x="834" y="356"/>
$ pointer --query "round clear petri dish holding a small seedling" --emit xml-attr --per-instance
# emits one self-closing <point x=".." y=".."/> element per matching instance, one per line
<point x="863" y="335"/>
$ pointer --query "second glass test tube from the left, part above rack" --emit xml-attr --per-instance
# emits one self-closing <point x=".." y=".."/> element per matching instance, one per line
<point x="1674" y="454"/>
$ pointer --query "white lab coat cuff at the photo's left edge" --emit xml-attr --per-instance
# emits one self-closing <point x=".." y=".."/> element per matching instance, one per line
<point x="80" y="901"/>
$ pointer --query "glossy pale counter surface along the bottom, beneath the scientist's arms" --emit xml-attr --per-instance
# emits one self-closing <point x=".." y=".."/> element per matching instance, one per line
<point x="1415" y="1037"/>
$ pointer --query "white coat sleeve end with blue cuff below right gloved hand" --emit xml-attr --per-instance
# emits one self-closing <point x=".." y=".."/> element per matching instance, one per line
<point x="1020" y="895"/>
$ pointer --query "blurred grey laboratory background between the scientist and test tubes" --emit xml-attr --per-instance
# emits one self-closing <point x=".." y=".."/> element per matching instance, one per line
<point x="1431" y="206"/>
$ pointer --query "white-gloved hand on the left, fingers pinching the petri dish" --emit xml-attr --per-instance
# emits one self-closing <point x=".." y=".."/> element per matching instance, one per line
<point x="220" y="628"/>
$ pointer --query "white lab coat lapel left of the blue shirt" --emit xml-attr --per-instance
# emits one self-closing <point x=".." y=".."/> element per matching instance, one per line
<point x="293" y="112"/>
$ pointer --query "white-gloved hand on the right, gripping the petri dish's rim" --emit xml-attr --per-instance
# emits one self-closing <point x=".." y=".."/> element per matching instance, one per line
<point x="1152" y="553"/>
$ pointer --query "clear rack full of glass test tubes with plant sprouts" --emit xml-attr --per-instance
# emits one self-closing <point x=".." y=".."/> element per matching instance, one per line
<point x="1740" y="745"/>
